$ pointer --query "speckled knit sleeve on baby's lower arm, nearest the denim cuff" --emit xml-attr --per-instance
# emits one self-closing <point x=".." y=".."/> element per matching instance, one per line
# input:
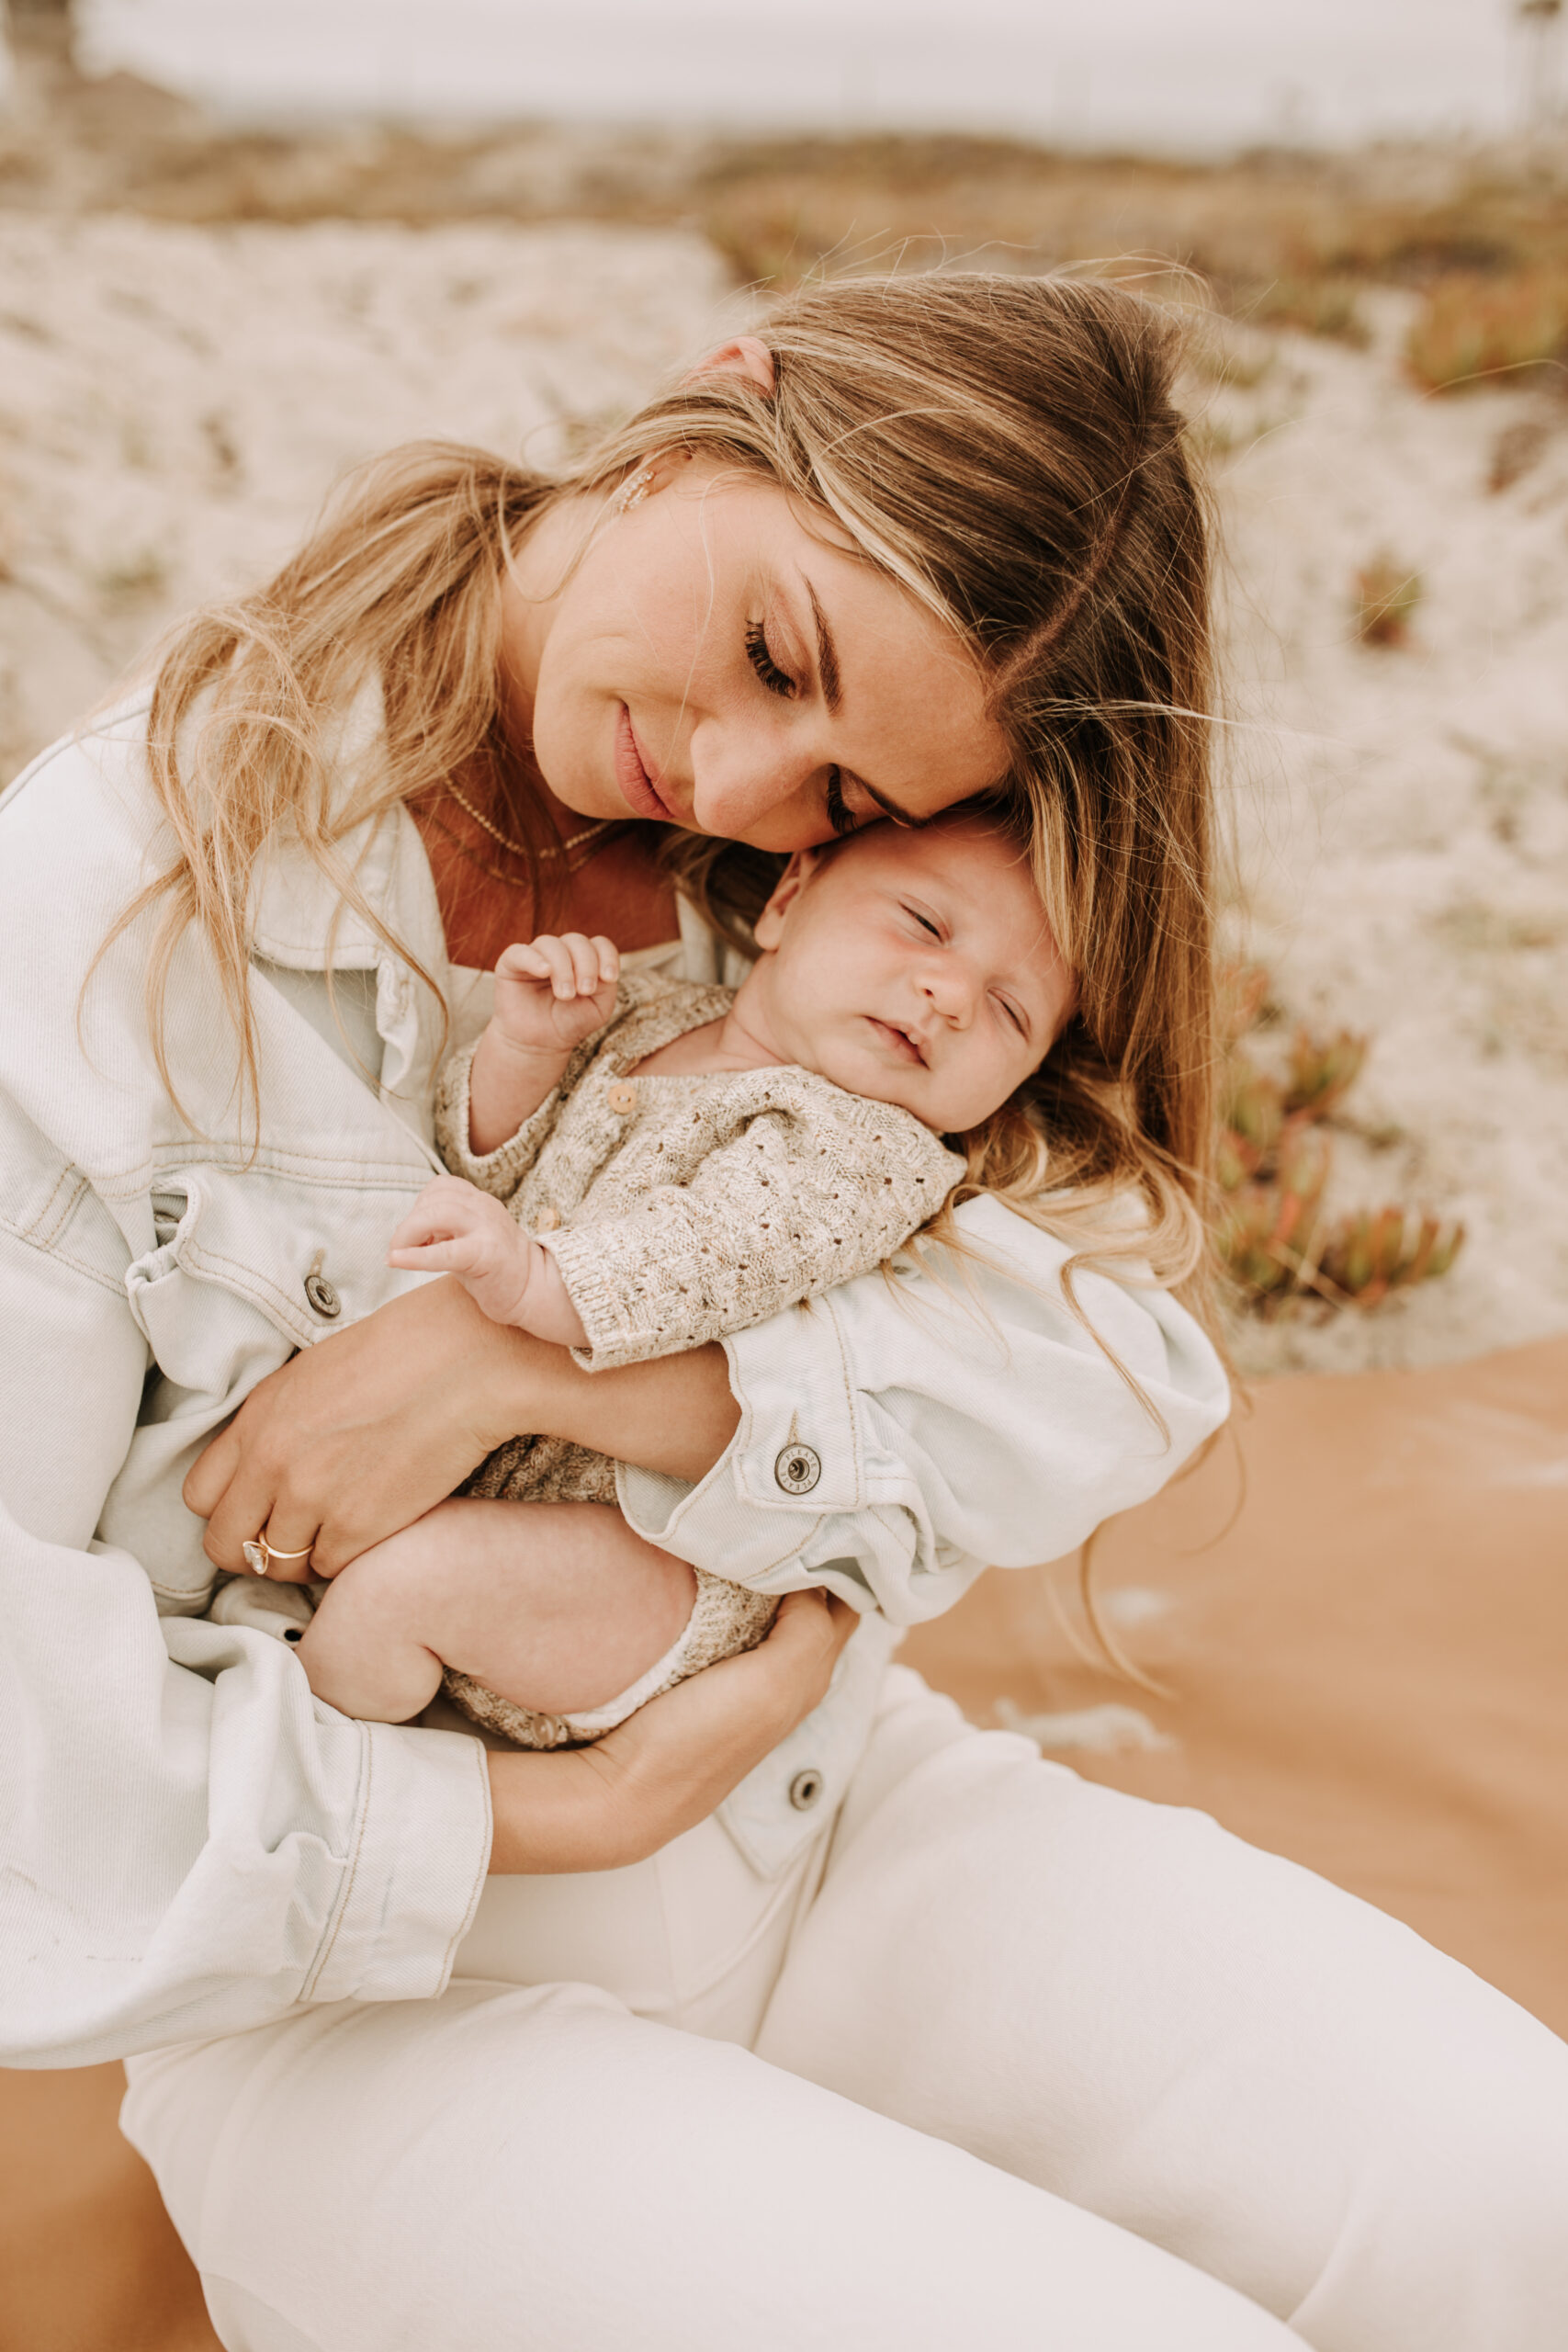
<point x="789" y="1205"/>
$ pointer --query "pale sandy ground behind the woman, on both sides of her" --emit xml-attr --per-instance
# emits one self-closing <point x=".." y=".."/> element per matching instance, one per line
<point x="175" y="401"/>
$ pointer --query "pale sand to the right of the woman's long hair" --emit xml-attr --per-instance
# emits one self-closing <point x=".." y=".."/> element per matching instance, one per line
<point x="1405" y="813"/>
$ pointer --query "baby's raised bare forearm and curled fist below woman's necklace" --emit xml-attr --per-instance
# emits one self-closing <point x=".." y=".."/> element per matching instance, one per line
<point x="551" y="994"/>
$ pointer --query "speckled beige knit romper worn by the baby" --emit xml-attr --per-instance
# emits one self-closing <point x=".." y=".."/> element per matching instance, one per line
<point x="678" y="1210"/>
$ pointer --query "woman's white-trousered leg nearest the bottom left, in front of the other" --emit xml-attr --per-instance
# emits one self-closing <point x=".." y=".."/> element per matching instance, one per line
<point x="509" y="2167"/>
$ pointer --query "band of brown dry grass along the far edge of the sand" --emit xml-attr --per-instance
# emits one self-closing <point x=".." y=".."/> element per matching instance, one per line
<point x="1282" y="241"/>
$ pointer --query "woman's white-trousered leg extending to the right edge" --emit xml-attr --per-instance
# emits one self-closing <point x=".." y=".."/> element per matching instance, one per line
<point x="1198" y="2040"/>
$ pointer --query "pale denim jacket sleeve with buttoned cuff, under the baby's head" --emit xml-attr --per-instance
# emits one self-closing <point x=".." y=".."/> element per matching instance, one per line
<point x="899" y="1438"/>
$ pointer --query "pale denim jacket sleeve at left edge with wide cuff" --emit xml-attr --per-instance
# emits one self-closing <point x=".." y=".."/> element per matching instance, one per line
<point x="189" y="1843"/>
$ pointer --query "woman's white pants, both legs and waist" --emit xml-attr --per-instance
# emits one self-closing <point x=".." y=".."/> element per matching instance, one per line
<point x="1031" y="2064"/>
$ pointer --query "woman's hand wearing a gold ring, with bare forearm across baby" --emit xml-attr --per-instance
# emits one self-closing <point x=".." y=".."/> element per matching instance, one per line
<point x="375" y="1426"/>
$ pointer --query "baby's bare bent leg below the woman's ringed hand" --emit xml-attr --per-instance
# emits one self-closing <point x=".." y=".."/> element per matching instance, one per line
<point x="554" y="1605"/>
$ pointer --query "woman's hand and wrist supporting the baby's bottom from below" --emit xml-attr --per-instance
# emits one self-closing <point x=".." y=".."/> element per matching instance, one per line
<point x="676" y="1760"/>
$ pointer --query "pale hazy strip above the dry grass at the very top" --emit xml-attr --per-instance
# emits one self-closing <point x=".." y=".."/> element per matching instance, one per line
<point x="1141" y="74"/>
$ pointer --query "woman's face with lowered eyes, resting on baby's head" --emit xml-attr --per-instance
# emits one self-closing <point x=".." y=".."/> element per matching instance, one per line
<point x="721" y="664"/>
